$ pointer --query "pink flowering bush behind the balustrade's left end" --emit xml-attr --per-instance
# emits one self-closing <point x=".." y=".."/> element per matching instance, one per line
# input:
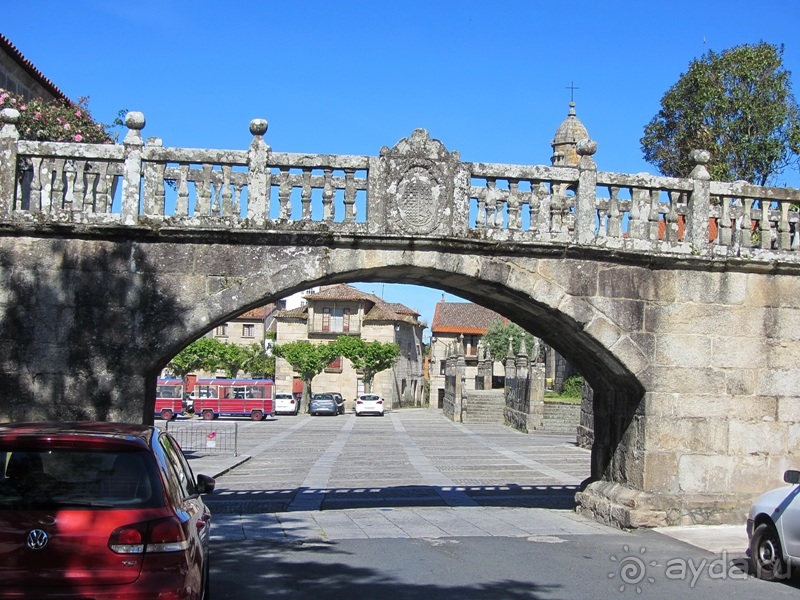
<point x="56" y="120"/>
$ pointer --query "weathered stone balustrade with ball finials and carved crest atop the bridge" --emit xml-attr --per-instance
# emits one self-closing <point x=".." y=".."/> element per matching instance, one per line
<point x="416" y="188"/>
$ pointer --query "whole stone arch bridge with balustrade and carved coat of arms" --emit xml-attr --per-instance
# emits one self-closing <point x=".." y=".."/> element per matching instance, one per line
<point x="677" y="299"/>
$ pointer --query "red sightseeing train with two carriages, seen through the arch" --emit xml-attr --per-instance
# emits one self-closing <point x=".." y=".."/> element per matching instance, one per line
<point x="211" y="398"/>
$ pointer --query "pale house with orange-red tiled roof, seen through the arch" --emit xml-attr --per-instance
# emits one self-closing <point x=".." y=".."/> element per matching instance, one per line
<point x="462" y="324"/>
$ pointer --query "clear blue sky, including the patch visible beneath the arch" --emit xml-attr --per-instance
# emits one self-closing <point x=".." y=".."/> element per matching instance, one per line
<point x="489" y="79"/>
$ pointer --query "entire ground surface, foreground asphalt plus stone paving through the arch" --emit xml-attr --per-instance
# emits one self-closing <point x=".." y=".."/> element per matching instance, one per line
<point x="411" y="505"/>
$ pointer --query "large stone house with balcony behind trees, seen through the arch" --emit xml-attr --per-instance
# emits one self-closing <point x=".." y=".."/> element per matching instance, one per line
<point x="344" y="310"/>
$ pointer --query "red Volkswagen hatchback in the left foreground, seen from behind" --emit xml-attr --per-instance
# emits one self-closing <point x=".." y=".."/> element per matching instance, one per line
<point x="100" y="510"/>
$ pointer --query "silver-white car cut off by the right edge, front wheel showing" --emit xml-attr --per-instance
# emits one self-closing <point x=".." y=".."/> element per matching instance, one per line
<point x="773" y="528"/>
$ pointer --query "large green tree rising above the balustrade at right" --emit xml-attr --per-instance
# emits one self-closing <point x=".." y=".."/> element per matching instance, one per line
<point x="738" y="105"/>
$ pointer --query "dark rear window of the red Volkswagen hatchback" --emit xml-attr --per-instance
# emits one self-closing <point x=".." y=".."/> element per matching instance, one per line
<point x="78" y="478"/>
